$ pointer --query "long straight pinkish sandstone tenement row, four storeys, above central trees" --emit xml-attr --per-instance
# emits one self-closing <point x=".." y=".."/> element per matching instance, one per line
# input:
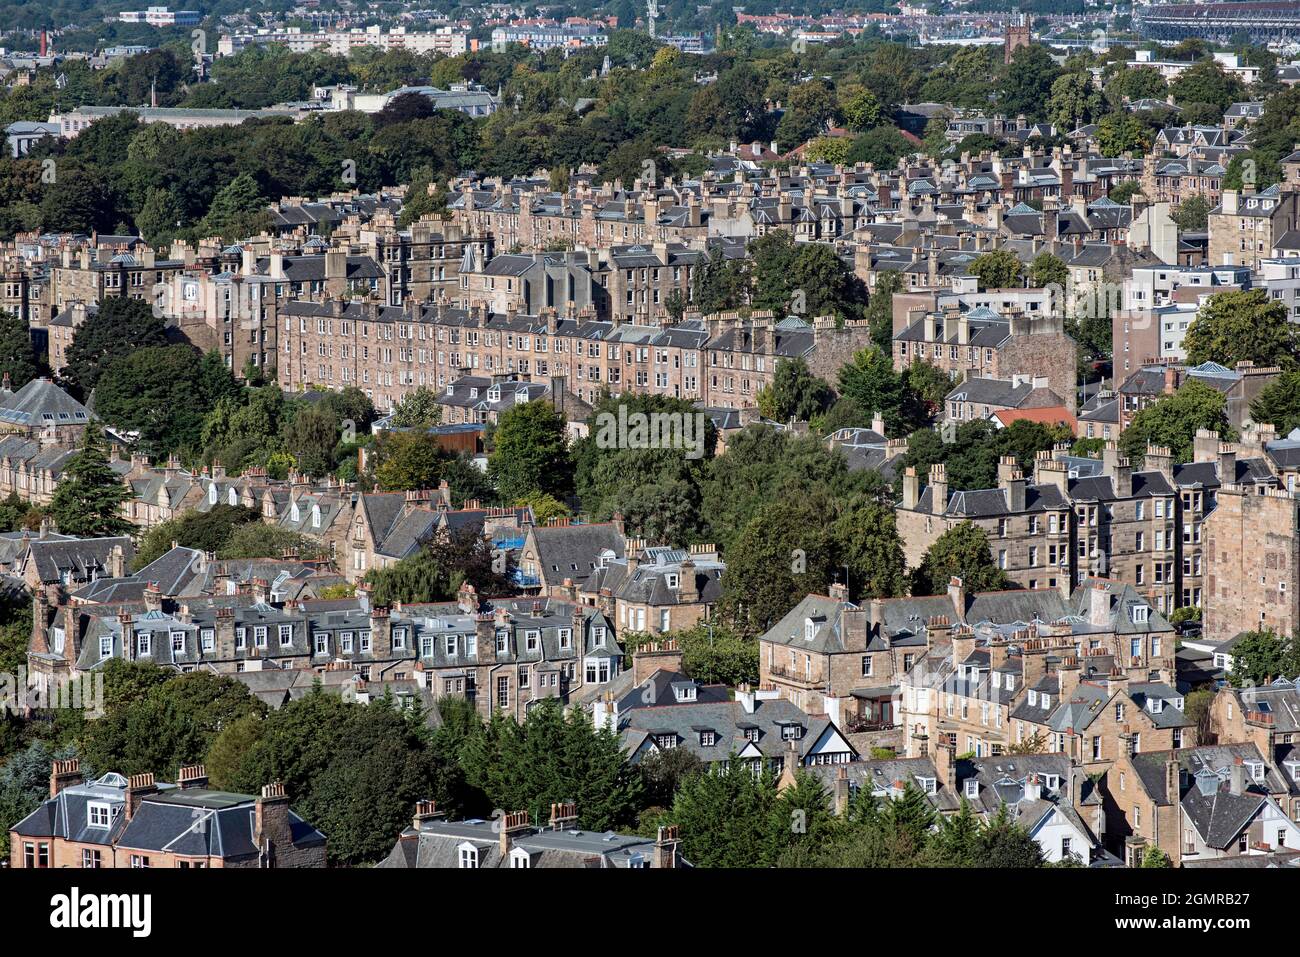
<point x="389" y="352"/>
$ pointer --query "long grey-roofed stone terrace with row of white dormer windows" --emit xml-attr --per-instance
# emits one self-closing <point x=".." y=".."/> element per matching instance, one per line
<point x="500" y="655"/>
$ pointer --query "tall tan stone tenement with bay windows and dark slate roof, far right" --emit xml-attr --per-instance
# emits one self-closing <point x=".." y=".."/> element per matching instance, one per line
<point x="1150" y="527"/>
